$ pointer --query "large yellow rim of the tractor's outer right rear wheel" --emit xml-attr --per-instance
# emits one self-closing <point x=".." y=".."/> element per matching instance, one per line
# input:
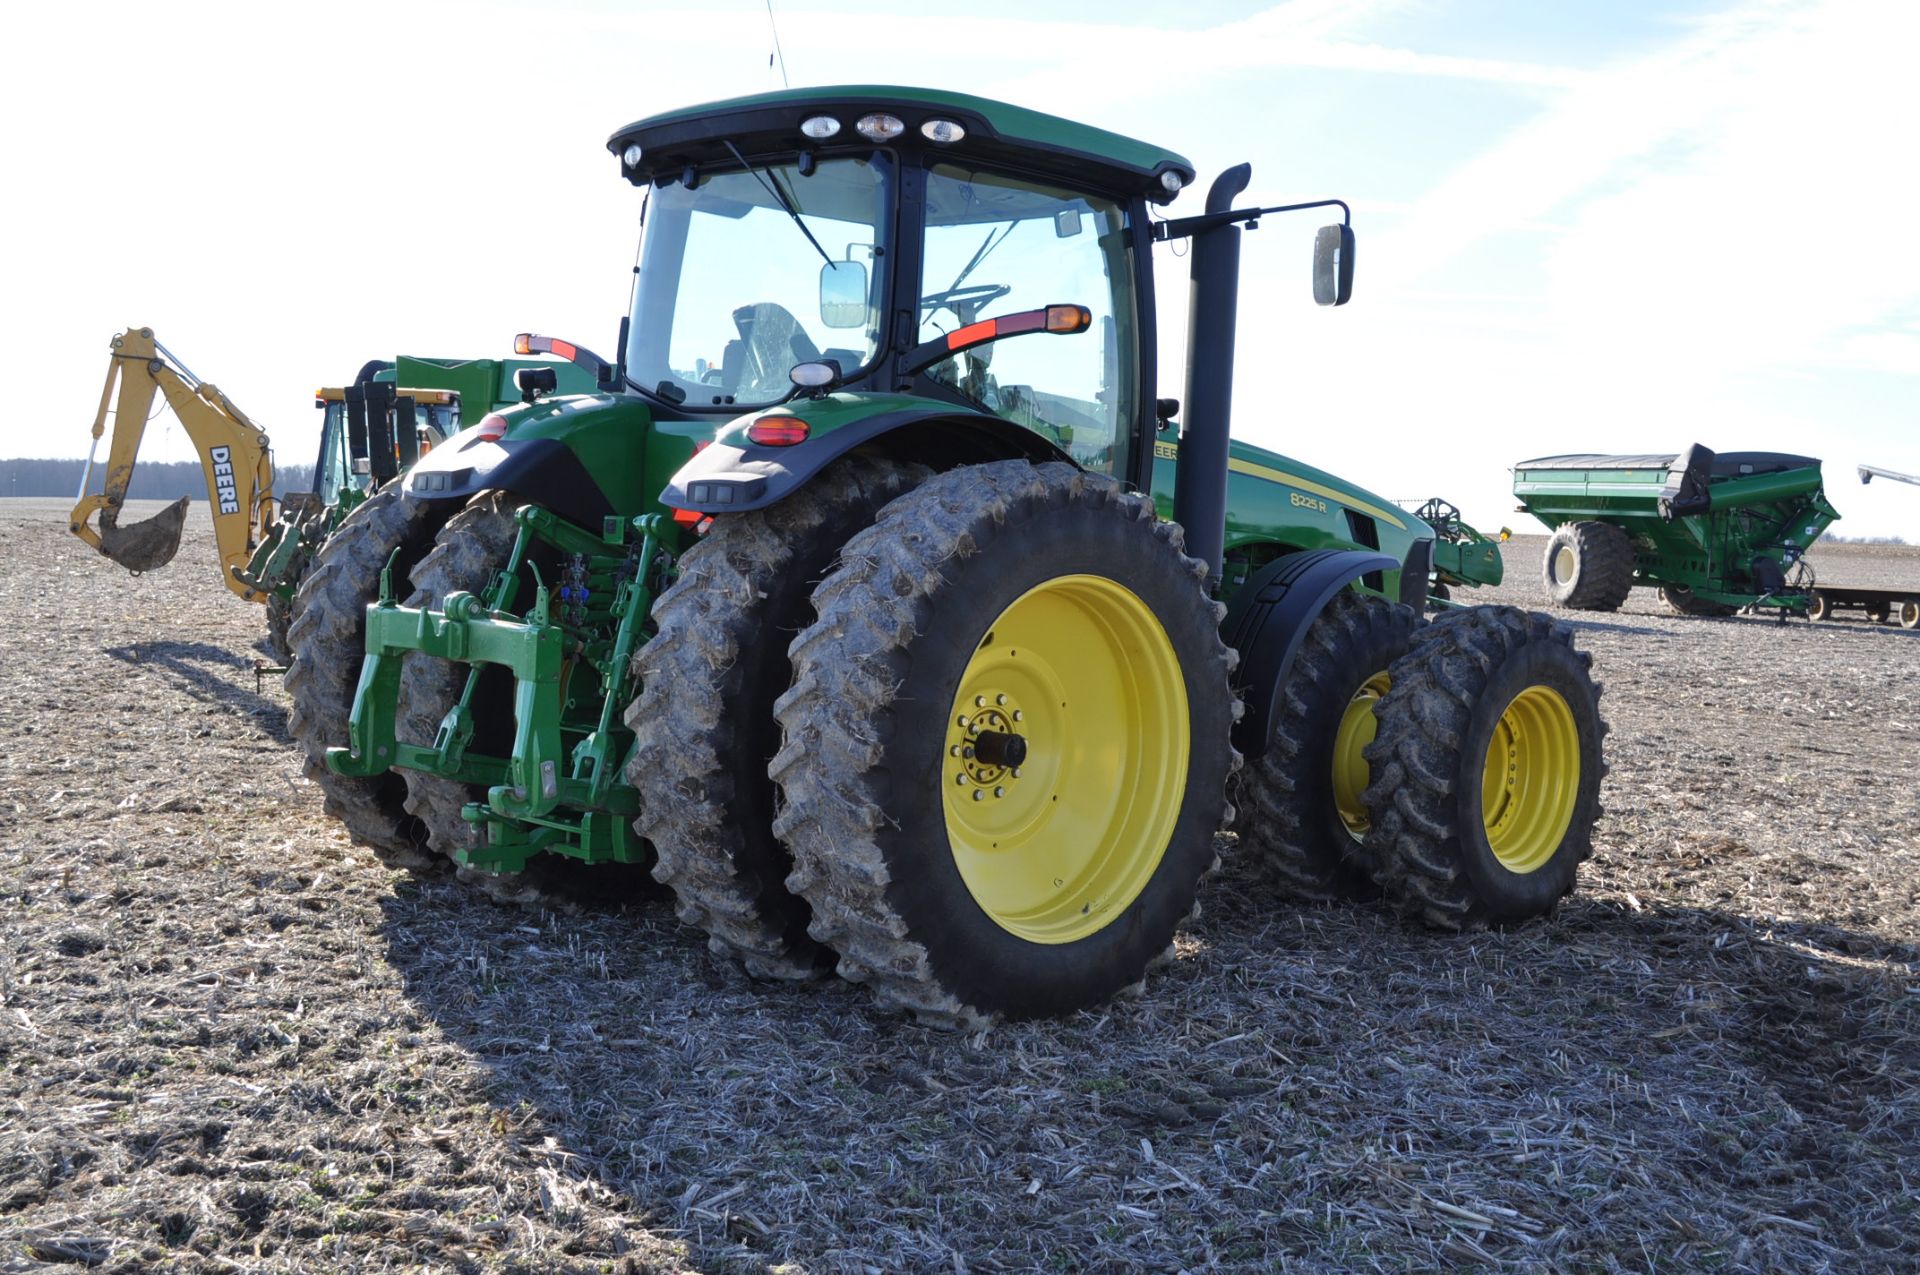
<point x="1086" y="679"/>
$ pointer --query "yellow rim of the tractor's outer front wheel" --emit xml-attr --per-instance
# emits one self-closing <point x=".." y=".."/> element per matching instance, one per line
<point x="1531" y="781"/>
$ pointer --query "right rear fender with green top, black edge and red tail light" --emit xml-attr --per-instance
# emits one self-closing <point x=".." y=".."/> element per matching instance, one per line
<point x="736" y="475"/>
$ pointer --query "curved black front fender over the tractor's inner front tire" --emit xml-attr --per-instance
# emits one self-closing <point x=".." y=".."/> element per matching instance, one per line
<point x="1270" y="615"/>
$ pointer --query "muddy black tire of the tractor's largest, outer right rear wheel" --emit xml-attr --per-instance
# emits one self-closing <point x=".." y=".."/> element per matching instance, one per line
<point x="867" y="748"/>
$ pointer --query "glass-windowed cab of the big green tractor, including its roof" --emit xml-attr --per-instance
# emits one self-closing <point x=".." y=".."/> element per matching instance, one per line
<point x="894" y="241"/>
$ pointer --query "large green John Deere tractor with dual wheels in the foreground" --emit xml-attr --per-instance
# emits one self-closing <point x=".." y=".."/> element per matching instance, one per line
<point x="876" y="604"/>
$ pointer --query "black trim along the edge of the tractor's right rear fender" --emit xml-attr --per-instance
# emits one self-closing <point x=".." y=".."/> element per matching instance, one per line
<point x="736" y="479"/>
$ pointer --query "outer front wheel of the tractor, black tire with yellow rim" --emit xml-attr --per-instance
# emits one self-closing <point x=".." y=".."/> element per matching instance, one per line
<point x="1485" y="771"/>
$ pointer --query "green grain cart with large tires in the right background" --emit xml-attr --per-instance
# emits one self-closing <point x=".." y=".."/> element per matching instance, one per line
<point x="1712" y="533"/>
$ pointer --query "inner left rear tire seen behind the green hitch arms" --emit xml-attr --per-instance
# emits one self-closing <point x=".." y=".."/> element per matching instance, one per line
<point x="469" y="550"/>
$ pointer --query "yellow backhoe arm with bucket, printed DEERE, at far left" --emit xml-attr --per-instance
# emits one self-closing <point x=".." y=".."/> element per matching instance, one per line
<point x="235" y="458"/>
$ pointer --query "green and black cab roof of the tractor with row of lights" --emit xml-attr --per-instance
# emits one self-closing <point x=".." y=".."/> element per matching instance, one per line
<point x="996" y="133"/>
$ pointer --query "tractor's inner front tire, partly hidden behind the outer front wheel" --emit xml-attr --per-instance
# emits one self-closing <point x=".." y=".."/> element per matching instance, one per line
<point x="1299" y="807"/>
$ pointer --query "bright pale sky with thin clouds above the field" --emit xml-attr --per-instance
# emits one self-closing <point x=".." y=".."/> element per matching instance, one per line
<point x="1583" y="226"/>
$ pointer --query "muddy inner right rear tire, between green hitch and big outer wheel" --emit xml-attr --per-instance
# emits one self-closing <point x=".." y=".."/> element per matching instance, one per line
<point x="704" y="721"/>
